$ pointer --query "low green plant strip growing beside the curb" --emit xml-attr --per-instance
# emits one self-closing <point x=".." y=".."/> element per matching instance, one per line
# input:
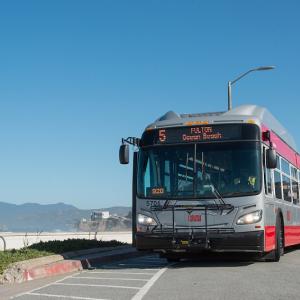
<point x="49" y="248"/>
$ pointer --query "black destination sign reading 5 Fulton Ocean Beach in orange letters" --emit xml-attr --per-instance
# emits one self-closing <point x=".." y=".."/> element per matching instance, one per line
<point x="200" y="133"/>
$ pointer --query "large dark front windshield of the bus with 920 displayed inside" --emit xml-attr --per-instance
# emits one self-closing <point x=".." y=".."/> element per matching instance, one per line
<point x="195" y="170"/>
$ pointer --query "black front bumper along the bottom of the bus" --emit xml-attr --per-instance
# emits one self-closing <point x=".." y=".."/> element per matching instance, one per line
<point x="223" y="242"/>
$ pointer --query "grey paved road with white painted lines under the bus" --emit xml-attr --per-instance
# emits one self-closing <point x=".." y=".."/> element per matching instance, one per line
<point x="151" y="277"/>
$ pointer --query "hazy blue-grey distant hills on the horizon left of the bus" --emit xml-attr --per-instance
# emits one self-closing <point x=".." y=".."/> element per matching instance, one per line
<point x="33" y="217"/>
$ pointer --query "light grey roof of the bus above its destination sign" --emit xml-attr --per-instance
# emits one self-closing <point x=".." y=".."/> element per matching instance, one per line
<point x="240" y="114"/>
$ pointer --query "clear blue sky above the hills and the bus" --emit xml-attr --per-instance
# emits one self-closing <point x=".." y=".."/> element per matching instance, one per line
<point x="77" y="76"/>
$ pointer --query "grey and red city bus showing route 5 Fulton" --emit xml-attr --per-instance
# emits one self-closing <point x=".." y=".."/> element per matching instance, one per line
<point x="222" y="181"/>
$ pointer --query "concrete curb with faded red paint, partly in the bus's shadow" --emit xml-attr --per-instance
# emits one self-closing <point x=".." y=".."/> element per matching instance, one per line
<point x="61" y="264"/>
